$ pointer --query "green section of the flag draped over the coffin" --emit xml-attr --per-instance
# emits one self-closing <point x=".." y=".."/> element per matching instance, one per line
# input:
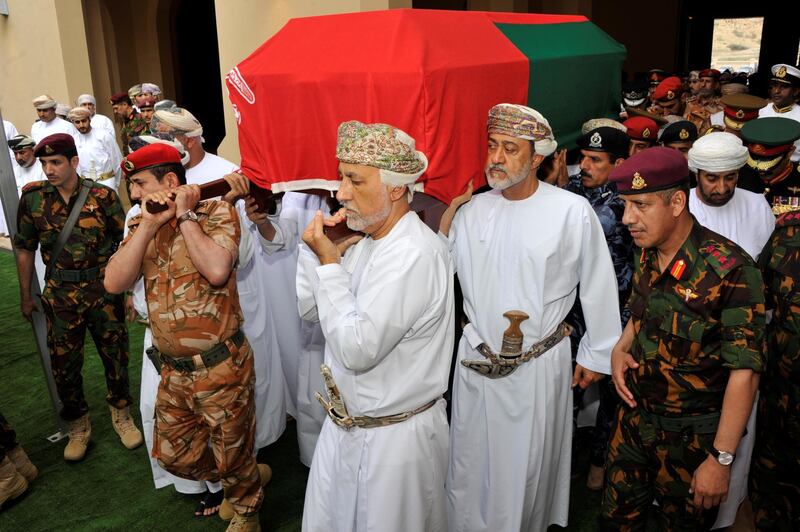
<point x="575" y="73"/>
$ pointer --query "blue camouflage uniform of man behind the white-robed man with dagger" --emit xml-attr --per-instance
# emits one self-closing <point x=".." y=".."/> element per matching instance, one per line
<point x="609" y="208"/>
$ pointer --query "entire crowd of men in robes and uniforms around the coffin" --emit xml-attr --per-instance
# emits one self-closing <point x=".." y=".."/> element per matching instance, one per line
<point x="665" y="256"/>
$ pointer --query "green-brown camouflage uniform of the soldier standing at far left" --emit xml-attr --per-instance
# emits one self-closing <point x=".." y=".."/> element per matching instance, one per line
<point x="72" y="306"/>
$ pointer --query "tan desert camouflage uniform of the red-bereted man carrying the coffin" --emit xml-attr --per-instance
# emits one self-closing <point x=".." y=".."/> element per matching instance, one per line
<point x="189" y="316"/>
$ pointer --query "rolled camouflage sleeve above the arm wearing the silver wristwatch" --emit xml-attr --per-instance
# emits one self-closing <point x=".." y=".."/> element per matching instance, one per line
<point x="743" y="319"/>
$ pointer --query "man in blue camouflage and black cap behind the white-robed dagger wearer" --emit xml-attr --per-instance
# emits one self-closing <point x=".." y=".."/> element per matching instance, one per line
<point x="602" y="149"/>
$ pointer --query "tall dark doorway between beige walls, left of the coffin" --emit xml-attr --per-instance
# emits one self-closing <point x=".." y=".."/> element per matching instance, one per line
<point x="197" y="80"/>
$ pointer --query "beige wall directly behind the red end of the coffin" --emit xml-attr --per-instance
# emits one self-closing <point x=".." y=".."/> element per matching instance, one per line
<point x="243" y="25"/>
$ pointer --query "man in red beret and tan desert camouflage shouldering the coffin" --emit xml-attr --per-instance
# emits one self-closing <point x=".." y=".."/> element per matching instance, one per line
<point x="186" y="255"/>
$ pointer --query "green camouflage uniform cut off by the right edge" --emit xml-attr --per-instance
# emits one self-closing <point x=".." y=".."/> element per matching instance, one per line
<point x="775" y="470"/>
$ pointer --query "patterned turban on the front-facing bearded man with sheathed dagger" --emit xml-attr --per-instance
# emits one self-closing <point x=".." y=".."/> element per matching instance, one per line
<point x="523" y="123"/>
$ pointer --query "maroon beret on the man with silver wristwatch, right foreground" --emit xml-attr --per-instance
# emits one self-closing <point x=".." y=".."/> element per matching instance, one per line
<point x="650" y="170"/>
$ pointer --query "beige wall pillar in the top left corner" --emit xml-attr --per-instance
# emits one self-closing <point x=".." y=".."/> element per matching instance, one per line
<point x="42" y="50"/>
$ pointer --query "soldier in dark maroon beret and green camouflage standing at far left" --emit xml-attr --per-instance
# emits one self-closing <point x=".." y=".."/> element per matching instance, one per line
<point x="73" y="297"/>
